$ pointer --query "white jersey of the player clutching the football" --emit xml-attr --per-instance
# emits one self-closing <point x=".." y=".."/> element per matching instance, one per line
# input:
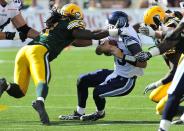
<point x="121" y="67"/>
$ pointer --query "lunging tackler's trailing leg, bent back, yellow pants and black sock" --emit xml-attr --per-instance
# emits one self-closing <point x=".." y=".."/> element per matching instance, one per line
<point x="21" y="76"/>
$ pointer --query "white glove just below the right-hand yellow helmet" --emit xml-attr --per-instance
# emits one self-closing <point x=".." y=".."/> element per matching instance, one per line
<point x="147" y="30"/>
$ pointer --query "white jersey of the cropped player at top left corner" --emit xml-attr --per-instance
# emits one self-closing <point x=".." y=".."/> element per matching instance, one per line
<point x="8" y="12"/>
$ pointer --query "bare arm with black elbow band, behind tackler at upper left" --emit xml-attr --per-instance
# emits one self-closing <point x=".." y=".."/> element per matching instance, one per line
<point x="24" y="30"/>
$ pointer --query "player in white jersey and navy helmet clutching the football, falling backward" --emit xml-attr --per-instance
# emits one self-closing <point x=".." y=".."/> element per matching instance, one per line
<point x="110" y="83"/>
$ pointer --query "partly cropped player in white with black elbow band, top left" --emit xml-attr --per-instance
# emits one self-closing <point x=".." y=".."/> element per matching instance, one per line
<point x="9" y="11"/>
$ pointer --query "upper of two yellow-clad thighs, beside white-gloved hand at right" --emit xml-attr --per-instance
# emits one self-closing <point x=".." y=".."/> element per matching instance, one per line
<point x="160" y="92"/>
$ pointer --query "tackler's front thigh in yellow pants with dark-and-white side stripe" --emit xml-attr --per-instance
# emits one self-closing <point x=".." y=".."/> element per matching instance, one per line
<point x="39" y="63"/>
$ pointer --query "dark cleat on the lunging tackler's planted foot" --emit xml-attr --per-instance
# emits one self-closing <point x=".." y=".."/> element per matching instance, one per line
<point x="40" y="108"/>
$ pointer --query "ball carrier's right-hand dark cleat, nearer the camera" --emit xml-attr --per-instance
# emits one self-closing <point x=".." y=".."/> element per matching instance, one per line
<point x="92" y="117"/>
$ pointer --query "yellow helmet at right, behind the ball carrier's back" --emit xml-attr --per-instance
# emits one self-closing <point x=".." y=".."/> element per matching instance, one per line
<point x="154" y="12"/>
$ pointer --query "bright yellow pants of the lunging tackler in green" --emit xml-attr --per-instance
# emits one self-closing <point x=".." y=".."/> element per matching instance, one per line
<point x="31" y="60"/>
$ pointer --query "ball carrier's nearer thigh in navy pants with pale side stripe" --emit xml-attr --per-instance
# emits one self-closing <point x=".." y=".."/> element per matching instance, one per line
<point x="118" y="86"/>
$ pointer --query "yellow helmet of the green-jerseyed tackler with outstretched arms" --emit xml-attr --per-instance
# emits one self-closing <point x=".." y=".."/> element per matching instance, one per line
<point x="72" y="10"/>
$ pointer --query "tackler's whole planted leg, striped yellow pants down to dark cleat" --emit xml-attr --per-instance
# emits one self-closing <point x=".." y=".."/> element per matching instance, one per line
<point x="40" y="73"/>
